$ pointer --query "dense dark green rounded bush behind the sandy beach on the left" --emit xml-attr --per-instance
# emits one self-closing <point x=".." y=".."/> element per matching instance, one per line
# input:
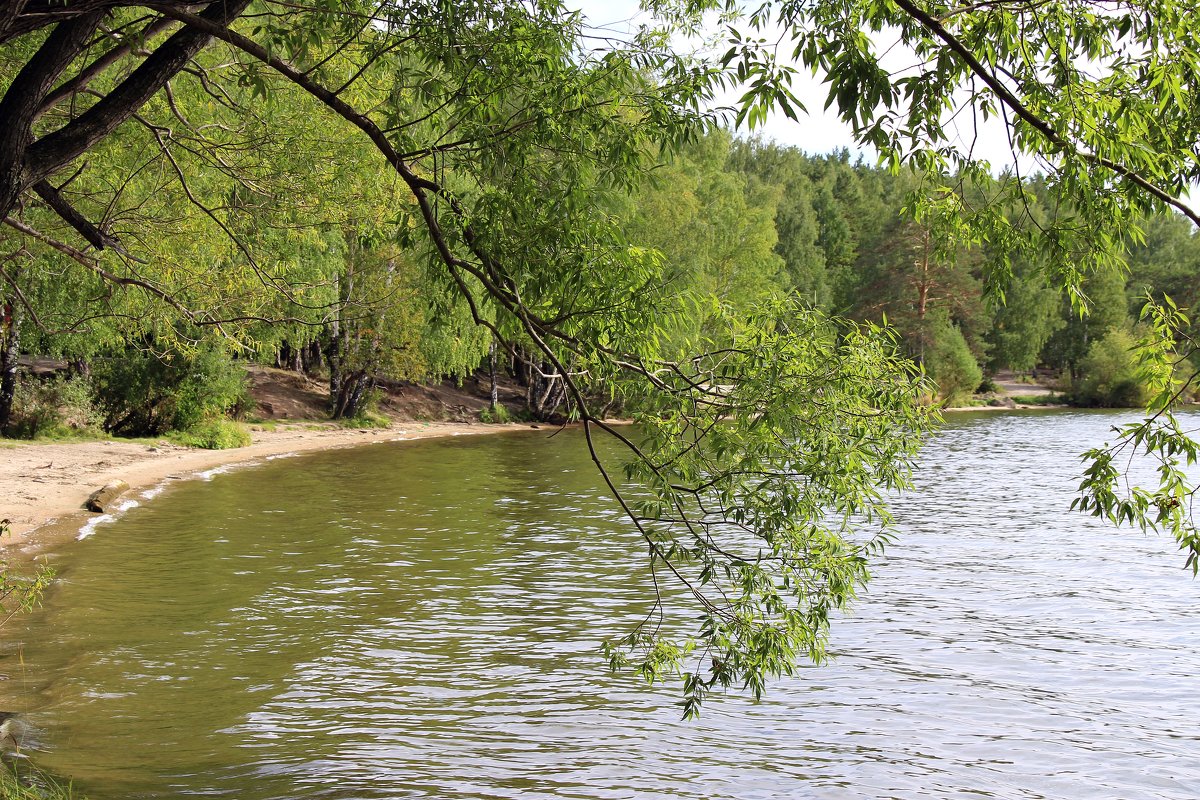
<point x="146" y="394"/>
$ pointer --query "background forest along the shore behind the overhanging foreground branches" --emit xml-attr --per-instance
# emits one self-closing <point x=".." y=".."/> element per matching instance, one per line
<point x="737" y="224"/>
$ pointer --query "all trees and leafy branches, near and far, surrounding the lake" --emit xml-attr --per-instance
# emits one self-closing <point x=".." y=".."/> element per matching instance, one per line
<point x="413" y="191"/>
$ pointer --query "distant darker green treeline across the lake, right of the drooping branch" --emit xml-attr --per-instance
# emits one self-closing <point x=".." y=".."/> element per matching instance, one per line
<point x="853" y="242"/>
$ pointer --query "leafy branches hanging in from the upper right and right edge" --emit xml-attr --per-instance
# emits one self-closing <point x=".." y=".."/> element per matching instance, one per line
<point x="1096" y="95"/>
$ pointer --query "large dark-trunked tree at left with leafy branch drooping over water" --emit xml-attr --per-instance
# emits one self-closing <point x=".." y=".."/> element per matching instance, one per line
<point x="511" y="142"/>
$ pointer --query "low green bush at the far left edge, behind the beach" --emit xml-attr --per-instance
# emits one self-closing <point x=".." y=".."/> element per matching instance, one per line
<point x="56" y="408"/>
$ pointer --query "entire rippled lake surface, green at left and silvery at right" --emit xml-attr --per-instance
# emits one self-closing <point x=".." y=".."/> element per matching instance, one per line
<point x="423" y="622"/>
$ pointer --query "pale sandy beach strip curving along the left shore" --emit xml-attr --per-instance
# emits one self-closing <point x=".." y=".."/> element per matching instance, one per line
<point x="45" y="486"/>
